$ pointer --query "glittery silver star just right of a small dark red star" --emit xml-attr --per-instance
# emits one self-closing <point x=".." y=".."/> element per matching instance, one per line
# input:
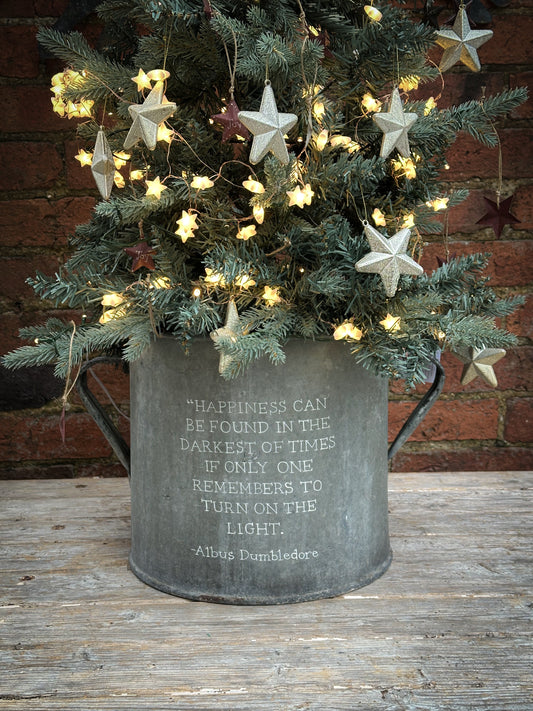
<point x="268" y="128"/>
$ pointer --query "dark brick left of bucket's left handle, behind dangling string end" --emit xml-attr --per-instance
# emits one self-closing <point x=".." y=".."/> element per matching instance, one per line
<point x="37" y="437"/>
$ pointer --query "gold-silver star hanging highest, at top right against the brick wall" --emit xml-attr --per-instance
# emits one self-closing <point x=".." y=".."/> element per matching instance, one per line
<point x="461" y="42"/>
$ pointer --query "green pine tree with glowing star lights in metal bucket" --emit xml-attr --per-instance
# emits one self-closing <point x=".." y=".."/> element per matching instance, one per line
<point x="197" y="225"/>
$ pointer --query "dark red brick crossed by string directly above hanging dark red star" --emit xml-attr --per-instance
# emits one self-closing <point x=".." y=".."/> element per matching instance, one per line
<point x="470" y="159"/>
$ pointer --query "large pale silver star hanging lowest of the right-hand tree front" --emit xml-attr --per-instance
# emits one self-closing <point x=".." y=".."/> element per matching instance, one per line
<point x="388" y="257"/>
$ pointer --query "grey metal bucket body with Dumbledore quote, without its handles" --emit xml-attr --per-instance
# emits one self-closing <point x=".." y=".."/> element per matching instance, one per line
<point x="270" y="488"/>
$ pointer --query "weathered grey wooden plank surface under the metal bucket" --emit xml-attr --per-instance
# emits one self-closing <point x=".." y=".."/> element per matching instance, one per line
<point x="448" y="627"/>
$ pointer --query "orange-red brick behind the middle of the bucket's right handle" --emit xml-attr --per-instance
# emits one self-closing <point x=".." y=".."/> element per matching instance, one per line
<point x="449" y="420"/>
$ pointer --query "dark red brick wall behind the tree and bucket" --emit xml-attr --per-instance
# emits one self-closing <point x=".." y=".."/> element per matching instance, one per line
<point x="45" y="193"/>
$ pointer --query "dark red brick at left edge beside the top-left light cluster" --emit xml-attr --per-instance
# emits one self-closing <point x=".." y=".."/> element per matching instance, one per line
<point x="28" y="108"/>
